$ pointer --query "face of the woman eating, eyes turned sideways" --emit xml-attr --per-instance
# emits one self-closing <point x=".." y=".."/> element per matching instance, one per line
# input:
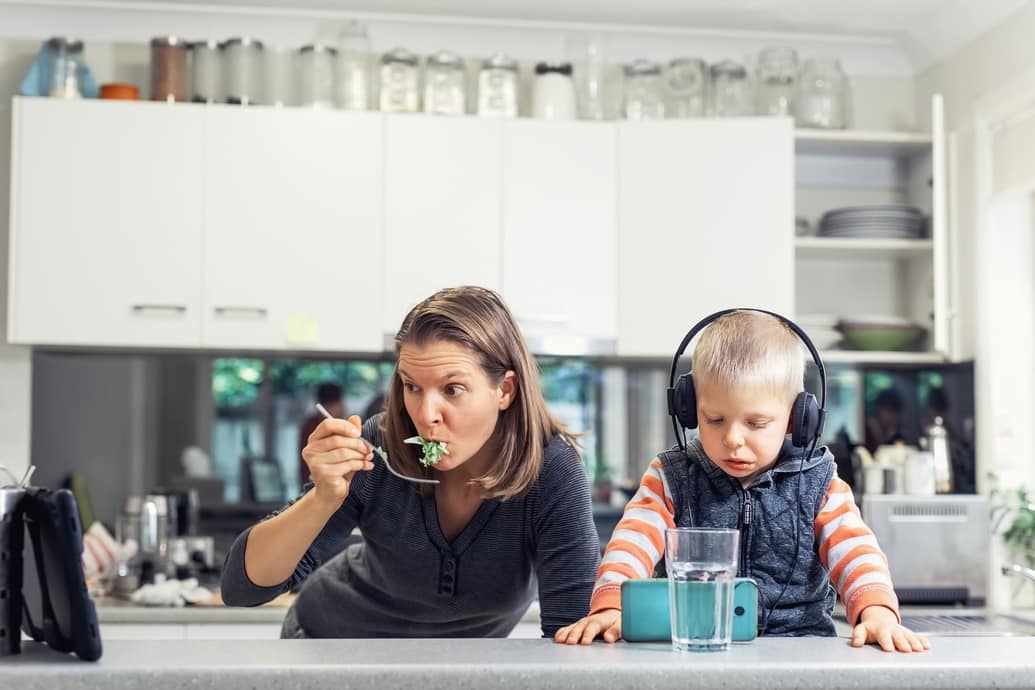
<point x="450" y="398"/>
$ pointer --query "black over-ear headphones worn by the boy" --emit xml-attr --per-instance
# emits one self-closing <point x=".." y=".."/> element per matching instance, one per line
<point x="808" y="415"/>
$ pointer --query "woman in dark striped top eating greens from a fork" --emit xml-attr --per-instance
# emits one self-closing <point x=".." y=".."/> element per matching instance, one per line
<point x="511" y="514"/>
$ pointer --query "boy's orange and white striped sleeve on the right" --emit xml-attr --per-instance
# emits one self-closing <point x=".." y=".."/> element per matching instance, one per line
<point x="849" y="551"/>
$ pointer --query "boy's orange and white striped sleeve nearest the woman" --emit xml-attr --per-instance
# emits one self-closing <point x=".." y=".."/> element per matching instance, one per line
<point x="638" y="543"/>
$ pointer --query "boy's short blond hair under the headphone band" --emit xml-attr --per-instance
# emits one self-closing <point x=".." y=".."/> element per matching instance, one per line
<point x="751" y="351"/>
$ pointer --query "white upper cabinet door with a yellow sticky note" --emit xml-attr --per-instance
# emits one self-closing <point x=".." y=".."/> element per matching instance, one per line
<point x="293" y="245"/>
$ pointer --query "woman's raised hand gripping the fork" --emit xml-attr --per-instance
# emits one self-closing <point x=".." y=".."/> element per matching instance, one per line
<point x="335" y="454"/>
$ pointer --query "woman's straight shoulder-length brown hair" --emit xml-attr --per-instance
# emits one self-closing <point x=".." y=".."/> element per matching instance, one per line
<point x="478" y="320"/>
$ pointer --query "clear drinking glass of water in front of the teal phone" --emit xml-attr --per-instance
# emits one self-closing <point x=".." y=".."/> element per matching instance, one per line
<point x="702" y="564"/>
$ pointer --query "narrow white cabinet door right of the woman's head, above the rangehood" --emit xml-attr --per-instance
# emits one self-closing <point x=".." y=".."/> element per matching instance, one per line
<point x="560" y="233"/>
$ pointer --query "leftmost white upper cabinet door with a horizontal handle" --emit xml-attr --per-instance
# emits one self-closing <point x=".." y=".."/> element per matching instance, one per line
<point x="106" y="224"/>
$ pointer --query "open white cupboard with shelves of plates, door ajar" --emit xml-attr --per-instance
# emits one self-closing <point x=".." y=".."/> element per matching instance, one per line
<point x="846" y="279"/>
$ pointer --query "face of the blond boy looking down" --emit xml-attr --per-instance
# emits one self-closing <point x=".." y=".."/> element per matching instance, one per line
<point x="742" y="432"/>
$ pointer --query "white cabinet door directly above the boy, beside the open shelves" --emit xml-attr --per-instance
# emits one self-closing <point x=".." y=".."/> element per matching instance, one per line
<point x="706" y="222"/>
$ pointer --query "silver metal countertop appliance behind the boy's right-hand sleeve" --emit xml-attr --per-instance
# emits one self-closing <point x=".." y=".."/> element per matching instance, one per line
<point x="937" y="546"/>
